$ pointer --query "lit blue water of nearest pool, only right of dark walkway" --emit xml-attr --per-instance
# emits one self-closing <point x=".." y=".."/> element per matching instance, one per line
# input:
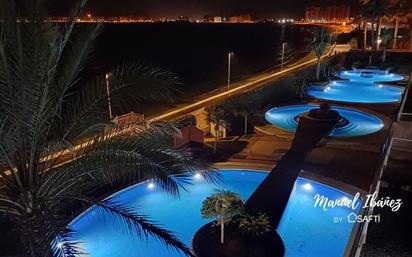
<point x="308" y="231"/>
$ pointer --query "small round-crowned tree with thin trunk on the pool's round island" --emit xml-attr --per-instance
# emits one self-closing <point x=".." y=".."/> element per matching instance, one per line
<point x="222" y="206"/>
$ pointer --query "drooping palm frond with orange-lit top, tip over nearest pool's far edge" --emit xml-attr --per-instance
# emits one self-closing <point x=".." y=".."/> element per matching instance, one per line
<point x="141" y="153"/>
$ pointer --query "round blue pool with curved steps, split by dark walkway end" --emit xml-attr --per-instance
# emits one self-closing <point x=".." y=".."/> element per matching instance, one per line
<point x="355" y="123"/>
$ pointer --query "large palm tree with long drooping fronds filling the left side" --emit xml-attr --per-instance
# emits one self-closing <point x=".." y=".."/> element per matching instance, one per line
<point x="46" y="108"/>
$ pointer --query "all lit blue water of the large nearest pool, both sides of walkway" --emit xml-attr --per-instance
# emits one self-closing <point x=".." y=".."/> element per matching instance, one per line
<point x="306" y="231"/>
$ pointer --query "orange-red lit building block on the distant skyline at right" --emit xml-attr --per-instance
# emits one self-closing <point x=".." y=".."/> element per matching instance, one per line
<point x="327" y="13"/>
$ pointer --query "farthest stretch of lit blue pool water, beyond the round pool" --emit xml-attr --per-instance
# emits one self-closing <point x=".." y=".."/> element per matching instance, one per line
<point x="360" y="88"/>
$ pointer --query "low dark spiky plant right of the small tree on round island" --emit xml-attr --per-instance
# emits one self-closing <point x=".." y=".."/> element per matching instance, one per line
<point x="254" y="226"/>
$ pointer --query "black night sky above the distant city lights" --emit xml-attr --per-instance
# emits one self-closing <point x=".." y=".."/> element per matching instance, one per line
<point x="198" y="8"/>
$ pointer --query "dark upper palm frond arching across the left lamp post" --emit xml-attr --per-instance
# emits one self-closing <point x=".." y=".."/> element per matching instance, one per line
<point x="143" y="82"/>
